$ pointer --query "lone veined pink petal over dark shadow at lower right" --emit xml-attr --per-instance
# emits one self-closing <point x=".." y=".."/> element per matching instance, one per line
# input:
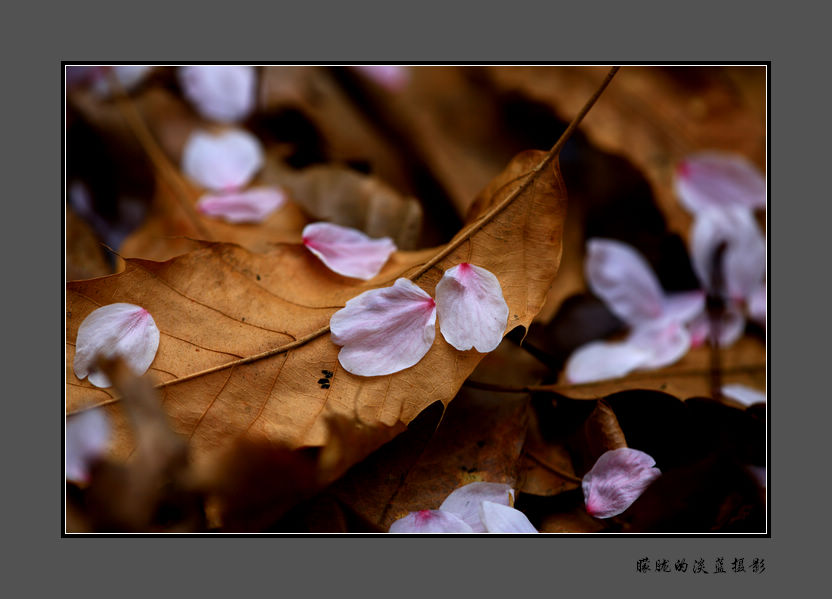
<point x="616" y="481"/>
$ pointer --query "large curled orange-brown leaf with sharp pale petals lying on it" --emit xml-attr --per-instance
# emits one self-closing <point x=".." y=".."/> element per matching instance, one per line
<point x="222" y="303"/>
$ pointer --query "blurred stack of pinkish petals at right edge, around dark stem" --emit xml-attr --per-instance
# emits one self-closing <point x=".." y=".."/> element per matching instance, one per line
<point x="722" y="191"/>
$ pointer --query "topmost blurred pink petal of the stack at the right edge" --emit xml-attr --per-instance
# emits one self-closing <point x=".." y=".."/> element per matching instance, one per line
<point x="719" y="180"/>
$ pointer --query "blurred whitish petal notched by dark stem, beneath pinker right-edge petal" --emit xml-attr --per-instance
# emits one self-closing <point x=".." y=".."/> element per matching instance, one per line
<point x="744" y="260"/>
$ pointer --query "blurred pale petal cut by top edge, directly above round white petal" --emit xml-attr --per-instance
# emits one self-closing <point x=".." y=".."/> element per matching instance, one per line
<point x="224" y="93"/>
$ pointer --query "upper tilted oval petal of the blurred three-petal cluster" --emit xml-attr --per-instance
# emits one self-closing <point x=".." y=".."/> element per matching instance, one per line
<point x="623" y="279"/>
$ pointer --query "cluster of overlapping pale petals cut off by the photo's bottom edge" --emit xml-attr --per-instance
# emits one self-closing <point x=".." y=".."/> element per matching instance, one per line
<point x="473" y="508"/>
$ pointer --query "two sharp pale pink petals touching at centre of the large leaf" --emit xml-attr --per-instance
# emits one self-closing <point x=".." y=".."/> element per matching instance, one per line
<point x="386" y="330"/>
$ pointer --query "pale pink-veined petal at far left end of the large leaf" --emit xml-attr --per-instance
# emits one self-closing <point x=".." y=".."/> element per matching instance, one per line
<point x="119" y="329"/>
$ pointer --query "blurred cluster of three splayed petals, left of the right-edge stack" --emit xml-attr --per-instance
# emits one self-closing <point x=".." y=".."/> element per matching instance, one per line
<point x="658" y="335"/>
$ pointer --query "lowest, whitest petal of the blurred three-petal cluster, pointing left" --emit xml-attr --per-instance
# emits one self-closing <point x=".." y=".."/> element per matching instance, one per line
<point x="601" y="360"/>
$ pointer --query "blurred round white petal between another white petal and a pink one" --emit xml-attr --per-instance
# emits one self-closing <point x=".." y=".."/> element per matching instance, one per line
<point x="224" y="161"/>
